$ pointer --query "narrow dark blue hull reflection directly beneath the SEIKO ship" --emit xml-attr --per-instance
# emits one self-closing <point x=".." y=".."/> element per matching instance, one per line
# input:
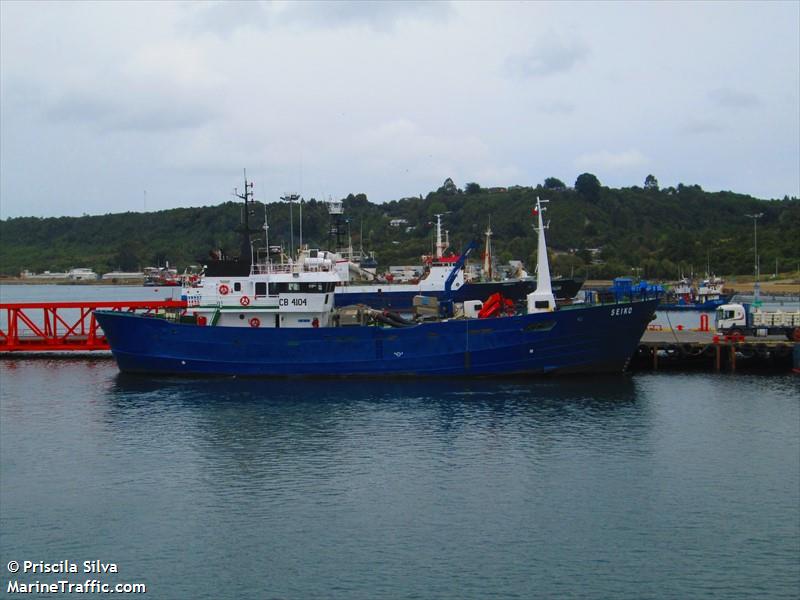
<point x="602" y="393"/>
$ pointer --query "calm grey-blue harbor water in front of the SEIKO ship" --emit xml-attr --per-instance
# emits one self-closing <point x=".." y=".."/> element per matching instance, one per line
<point x="646" y="486"/>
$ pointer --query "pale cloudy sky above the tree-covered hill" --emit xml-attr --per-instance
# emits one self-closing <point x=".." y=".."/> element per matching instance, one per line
<point x="110" y="107"/>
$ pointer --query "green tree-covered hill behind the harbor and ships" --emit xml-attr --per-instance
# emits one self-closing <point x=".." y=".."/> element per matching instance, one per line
<point x="595" y="230"/>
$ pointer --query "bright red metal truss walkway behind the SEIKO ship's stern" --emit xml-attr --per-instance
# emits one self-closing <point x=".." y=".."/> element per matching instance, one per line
<point x="64" y="326"/>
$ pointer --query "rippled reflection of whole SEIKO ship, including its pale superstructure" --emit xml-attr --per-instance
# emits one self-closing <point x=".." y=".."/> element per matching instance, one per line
<point x="266" y="429"/>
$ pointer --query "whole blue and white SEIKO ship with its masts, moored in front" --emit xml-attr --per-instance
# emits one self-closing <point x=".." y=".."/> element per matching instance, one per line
<point x="277" y="318"/>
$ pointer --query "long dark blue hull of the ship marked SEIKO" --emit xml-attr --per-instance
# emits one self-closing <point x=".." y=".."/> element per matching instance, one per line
<point x="590" y="339"/>
